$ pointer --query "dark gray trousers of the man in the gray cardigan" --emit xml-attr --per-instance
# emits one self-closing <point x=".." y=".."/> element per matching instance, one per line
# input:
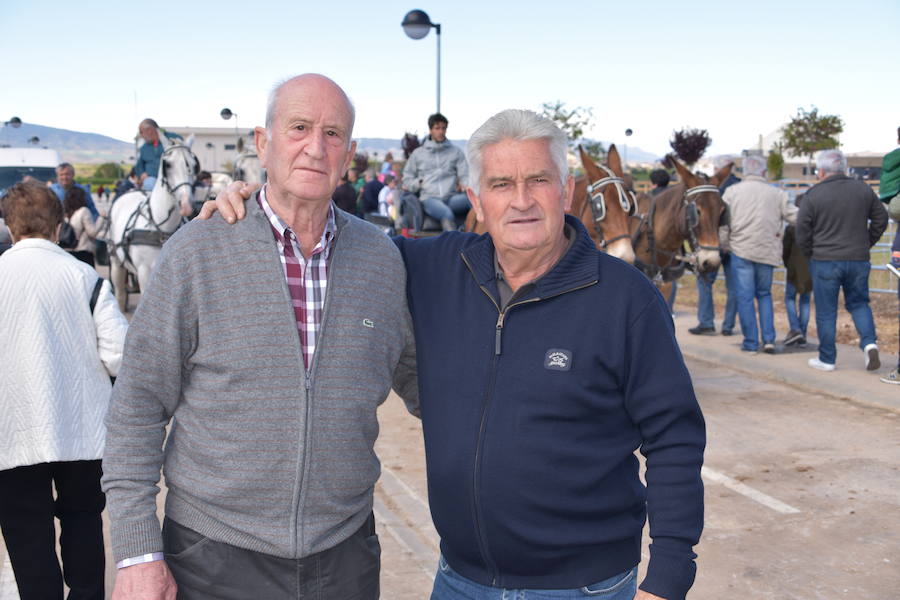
<point x="205" y="569"/>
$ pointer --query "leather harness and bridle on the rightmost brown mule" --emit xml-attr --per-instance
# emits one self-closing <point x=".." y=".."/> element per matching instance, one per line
<point x="677" y="262"/>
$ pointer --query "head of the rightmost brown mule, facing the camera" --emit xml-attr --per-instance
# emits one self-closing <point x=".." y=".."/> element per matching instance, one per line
<point x="703" y="210"/>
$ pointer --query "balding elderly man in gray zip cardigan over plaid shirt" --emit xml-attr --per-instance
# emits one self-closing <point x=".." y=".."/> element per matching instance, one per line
<point x="268" y="345"/>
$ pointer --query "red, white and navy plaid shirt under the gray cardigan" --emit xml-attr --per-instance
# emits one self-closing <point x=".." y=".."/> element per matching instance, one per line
<point x="307" y="280"/>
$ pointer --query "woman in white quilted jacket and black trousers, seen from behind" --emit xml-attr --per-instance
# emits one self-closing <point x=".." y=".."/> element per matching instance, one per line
<point x="56" y="359"/>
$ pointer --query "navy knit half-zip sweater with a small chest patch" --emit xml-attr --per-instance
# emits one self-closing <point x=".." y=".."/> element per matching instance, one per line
<point x="532" y="416"/>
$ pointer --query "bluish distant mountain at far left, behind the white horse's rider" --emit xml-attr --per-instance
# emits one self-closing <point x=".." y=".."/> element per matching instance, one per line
<point x="73" y="146"/>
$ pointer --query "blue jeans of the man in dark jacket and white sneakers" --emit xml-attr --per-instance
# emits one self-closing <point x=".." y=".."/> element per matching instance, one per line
<point x="829" y="276"/>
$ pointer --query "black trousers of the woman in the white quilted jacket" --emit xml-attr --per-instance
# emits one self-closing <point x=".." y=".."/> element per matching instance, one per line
<point x="27" y="510"/>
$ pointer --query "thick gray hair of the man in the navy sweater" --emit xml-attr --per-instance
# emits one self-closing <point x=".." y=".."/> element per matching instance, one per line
<point x="515" y="124"/>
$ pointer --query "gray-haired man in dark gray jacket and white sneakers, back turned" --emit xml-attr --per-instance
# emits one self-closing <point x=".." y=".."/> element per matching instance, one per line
<point x="839" y="221"/>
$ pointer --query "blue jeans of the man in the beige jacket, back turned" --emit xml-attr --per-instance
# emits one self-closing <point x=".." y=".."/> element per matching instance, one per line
<point x="754" y="280"/>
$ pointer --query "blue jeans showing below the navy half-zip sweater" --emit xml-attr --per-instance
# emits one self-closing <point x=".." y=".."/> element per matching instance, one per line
<point x="450" y="585"/>
